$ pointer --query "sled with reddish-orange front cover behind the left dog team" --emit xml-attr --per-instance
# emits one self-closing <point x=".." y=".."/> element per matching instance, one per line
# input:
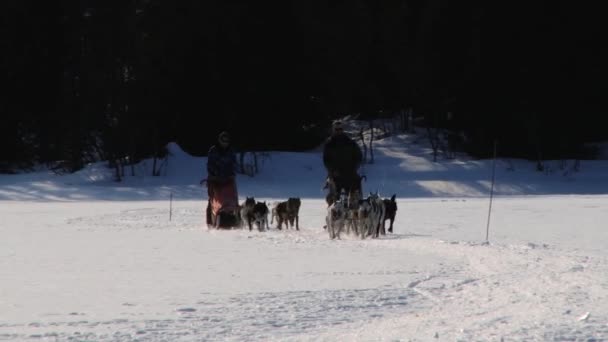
<point x="223" y="207"/>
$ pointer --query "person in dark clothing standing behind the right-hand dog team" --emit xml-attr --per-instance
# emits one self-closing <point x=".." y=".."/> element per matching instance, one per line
<point x="342" y="157"/>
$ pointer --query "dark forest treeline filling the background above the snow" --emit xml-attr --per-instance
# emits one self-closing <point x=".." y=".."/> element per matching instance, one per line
<point x="113" y="79"/>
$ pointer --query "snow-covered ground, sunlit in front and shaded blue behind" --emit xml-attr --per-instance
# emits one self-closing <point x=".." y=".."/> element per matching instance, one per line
<point x="83" y="258"/>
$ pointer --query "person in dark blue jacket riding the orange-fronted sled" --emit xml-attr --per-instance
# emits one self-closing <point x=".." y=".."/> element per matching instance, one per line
<point x="221" y="171"/>
